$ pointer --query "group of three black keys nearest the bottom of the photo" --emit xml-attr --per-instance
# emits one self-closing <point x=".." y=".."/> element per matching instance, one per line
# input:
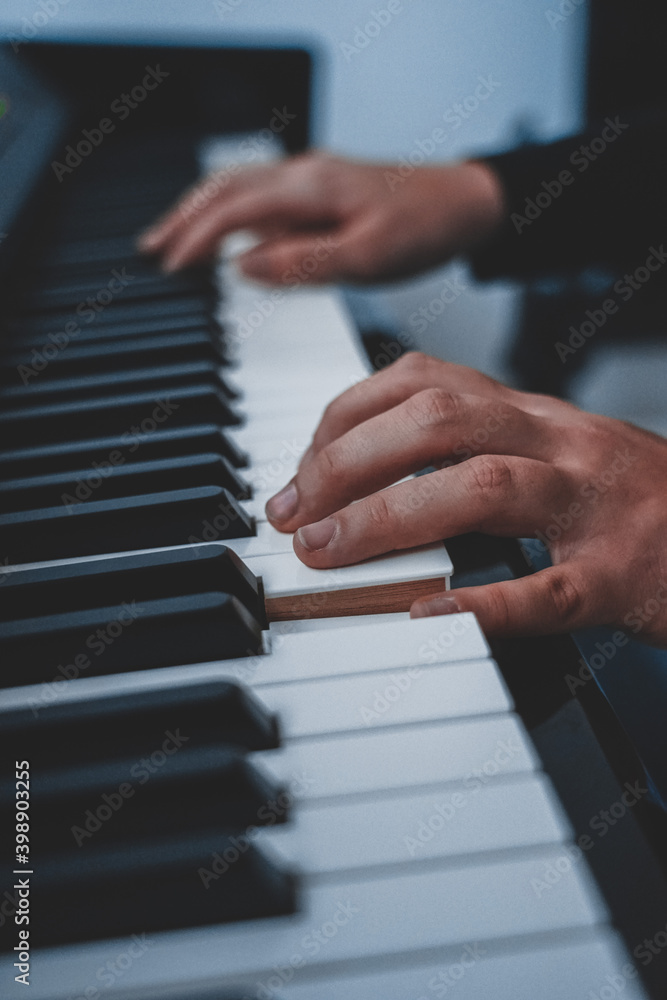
<point x="122" y="843"/>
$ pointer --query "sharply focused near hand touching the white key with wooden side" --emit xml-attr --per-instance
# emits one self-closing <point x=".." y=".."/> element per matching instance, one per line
<point x="506" y="463"/>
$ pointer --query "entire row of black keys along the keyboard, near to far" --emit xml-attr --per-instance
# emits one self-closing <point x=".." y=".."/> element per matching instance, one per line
<point x="131" y="798"/>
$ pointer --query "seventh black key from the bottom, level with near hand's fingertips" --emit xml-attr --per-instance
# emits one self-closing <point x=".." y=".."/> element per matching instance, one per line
<point x="128" y="479"/>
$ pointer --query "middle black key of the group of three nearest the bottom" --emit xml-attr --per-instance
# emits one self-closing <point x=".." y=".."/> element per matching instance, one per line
<point x="172" y="786"/>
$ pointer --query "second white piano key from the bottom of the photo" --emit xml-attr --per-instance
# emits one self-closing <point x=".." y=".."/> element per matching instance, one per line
<point x="361" y="919"/>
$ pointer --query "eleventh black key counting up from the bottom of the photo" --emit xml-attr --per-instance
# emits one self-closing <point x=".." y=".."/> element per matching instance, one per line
<point x="18" y="367"/>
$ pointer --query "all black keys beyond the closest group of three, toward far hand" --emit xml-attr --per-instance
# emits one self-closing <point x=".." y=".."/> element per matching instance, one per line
<point x="118" y="443"/>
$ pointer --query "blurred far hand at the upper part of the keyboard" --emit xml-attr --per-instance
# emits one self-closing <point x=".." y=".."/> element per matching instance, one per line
<point x="358" y="221"/>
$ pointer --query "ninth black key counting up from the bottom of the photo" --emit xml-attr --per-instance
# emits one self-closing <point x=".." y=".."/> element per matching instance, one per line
<point x="123" y="413"/>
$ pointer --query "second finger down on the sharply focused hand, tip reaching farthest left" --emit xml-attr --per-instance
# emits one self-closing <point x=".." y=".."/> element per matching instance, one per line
<point x="428" y="428"/>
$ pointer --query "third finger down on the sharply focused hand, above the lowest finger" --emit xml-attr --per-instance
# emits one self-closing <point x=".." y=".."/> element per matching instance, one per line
<point x="497" y="494"/>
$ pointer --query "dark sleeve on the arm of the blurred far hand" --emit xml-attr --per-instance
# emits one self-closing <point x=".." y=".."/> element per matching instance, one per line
<point x="599" y="198"/>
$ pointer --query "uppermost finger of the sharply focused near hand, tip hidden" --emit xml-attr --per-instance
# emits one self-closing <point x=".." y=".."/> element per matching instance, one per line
<point x="396" y="383"/>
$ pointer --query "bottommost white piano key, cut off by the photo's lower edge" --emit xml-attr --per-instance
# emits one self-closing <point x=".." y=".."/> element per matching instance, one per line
<point x="557" y="970"/>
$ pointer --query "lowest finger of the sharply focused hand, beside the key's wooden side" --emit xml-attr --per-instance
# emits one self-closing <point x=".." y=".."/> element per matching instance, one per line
<point x="558" y="599"/>
